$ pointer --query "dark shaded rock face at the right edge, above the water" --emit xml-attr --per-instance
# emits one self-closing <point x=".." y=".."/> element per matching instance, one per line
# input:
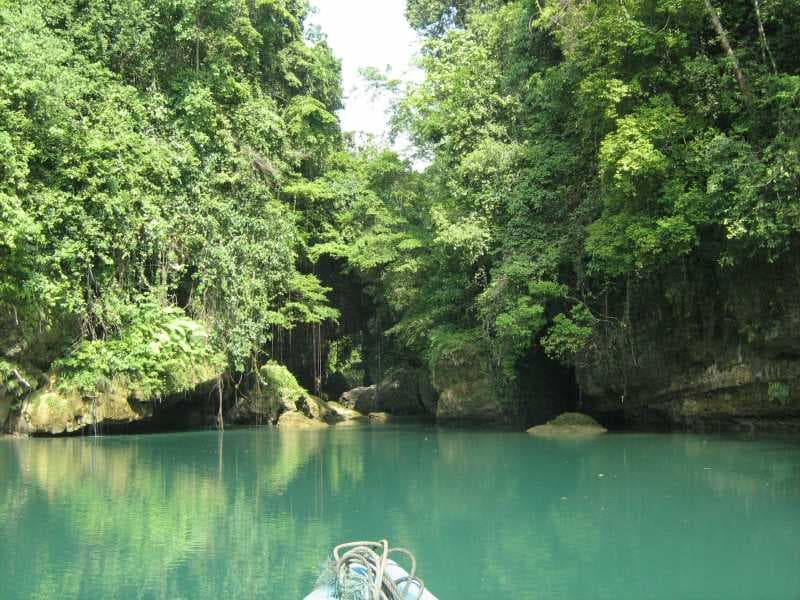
<point x="702" y="348"/>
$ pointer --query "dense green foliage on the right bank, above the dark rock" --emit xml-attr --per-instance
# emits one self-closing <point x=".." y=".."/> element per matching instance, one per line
<point x="575" y="149"/>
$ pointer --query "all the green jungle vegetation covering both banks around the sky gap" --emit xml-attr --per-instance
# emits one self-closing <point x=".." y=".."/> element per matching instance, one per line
<point x="175" y="187"/>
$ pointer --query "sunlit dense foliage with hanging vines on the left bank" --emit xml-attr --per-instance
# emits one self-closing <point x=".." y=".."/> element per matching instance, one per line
<point x="146" y="149"/>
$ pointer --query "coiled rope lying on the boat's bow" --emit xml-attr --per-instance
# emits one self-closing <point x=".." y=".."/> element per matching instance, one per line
<point x="360" y="572"/>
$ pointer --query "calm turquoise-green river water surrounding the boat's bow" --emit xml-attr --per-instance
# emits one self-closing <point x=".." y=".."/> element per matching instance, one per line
<point x="253" y="513"/>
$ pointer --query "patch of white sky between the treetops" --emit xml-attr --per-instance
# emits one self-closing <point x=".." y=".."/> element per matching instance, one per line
<point x="368" y="33"/>
